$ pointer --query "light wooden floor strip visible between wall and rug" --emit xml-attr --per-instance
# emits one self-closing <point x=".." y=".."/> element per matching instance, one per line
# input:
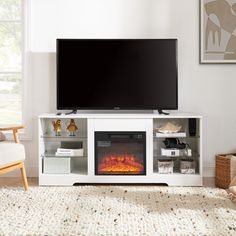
<point x="15" y="182"/>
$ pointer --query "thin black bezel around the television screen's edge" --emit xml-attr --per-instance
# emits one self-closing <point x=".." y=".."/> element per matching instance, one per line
<point x="117" y="107"/>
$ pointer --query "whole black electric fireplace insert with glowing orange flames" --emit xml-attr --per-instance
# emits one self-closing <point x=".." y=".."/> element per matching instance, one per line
<point x="120" y="153"/>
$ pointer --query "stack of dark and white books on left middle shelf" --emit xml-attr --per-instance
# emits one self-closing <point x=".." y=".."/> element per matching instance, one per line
<point x="70" y="148"/>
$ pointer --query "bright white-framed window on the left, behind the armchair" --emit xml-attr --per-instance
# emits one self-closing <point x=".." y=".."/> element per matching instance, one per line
<point x="11" y="48"/>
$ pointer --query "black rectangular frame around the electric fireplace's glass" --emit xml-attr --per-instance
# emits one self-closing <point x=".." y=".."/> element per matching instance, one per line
<point x="117" y="136"/>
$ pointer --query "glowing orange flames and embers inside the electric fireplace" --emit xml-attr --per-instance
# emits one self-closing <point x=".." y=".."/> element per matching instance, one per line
<point x="120" y="163"/>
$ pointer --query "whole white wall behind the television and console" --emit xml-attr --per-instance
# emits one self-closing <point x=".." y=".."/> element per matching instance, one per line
<point x="205" y="89"/>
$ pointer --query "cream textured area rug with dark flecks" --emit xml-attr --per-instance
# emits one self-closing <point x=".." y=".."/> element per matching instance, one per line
<point x="116" y="211"/>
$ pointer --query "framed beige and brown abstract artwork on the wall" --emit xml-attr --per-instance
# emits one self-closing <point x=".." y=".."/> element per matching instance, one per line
<point x="218" y="31"/>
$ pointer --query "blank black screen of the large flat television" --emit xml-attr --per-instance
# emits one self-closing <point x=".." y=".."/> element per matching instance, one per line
<point x="117" y="74"/>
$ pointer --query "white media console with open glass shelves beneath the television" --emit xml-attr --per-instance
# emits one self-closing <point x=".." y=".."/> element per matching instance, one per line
<point x="69" y="170"/>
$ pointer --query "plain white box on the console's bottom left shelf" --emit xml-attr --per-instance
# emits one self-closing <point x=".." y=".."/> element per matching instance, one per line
<point x="58" y="165"/>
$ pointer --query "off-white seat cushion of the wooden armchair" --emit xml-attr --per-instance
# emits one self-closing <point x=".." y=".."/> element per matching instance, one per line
<point x="11" y="152"/>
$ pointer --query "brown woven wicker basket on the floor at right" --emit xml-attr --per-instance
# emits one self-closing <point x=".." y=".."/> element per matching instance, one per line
<point x="223" y="177"/>
